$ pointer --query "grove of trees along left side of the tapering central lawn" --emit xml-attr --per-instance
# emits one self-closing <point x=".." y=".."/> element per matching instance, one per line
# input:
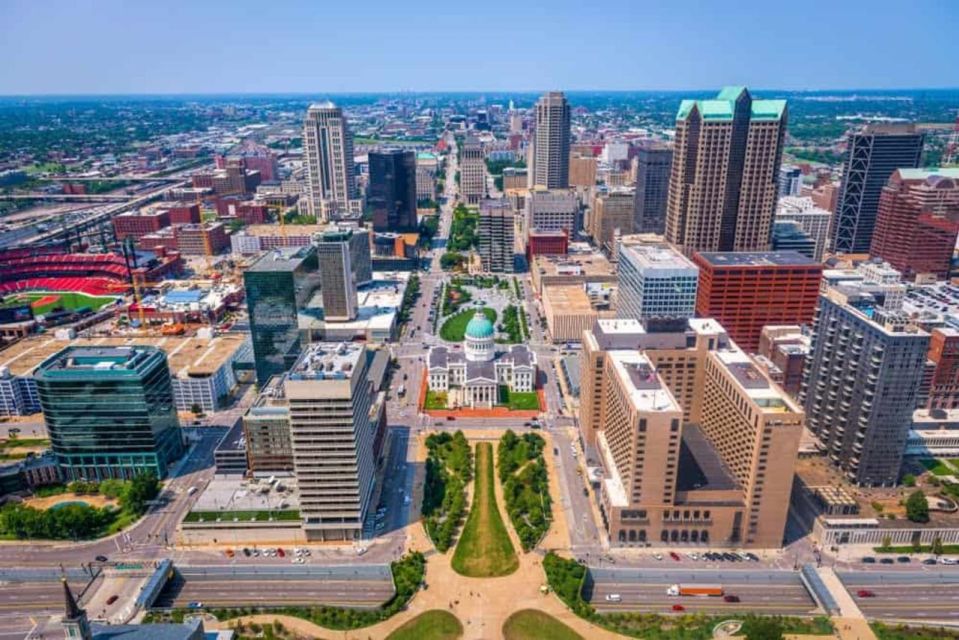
<point x="449" y="466"/>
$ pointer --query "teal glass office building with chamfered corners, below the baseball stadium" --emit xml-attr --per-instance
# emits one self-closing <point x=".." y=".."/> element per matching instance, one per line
<point x="110" y="412"/>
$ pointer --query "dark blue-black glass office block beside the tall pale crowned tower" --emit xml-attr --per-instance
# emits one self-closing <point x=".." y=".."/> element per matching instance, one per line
<point x="392" y="190"/>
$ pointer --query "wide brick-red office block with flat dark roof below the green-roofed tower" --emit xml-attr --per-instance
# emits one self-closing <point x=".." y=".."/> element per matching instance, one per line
<point x="747" y="291"/>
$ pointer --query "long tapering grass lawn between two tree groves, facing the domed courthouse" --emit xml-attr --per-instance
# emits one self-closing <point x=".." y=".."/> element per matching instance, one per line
<point x="484" y="549"/>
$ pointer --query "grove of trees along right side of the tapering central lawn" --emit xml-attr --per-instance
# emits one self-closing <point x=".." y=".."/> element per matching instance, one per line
<point x="522" y="471"/>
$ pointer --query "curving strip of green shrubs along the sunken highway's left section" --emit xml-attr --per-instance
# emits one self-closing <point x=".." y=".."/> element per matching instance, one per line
<point x="408" y="574"/>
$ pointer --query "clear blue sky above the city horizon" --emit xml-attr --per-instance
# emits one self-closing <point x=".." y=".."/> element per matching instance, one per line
<point x="207" y="46"/>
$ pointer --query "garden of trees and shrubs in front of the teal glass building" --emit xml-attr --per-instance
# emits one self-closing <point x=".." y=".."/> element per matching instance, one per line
<point x="78" y="520"/>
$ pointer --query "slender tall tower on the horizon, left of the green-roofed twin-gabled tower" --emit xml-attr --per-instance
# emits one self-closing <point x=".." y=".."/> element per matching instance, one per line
<point x="550" y="152"/>
